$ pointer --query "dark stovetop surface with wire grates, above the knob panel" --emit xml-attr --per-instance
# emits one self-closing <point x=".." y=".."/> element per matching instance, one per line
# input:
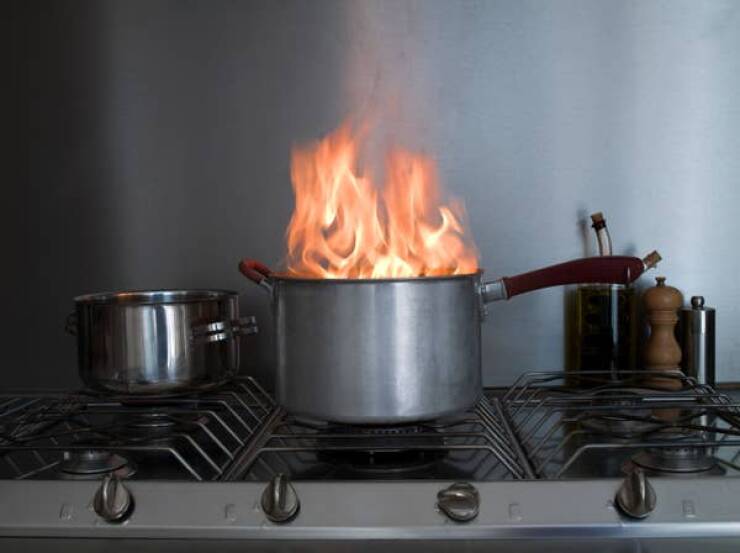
<point x="546" y="426"/>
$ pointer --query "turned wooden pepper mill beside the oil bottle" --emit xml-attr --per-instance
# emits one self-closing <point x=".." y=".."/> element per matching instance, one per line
<point x="662" y="352"/>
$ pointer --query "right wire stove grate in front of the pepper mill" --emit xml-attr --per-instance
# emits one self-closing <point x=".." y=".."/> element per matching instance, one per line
<point x="566" y="432"/>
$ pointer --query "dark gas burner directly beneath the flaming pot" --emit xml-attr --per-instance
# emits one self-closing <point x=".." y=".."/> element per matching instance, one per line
<point x="384" y="449"/>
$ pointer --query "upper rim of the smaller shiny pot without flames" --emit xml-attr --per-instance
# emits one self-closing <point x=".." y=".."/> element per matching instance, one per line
<point x="155" y="296"/>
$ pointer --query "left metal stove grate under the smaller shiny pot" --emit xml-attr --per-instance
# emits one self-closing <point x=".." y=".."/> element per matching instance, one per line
<point x="194" y="437"/>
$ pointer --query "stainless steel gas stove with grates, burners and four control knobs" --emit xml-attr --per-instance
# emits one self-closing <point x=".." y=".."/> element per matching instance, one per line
<point x="614" y="462"/>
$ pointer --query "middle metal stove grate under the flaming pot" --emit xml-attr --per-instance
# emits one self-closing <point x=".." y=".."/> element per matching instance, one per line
<point x="478" y="445"/>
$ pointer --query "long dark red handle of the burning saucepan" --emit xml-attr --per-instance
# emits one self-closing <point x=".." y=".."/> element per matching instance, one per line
<point x="612" y="269"/>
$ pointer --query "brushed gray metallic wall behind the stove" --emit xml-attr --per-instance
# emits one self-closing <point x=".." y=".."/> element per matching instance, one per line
<point x="153" y="144"/>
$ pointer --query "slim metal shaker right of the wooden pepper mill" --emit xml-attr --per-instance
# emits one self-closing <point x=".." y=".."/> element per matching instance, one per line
<point x="696" y="336"/>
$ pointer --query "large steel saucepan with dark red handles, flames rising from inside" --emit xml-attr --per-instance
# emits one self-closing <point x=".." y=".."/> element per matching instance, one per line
<point x="388" y="351"/>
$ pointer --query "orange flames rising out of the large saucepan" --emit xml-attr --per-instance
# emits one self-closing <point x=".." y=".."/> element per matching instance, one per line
<point x="344" y="226"/>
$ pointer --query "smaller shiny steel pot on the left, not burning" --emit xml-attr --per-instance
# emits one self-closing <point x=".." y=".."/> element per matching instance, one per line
<point x="158" y="341"/>
